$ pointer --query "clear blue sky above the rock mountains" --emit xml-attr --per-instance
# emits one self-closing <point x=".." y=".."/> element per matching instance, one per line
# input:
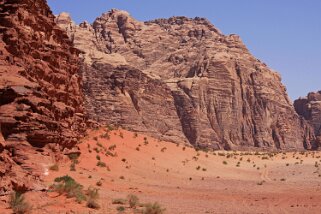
<point x="285" y="34"/>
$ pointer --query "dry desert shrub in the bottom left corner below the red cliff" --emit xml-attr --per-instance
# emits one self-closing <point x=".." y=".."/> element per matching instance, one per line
<point x="18" y="204"/>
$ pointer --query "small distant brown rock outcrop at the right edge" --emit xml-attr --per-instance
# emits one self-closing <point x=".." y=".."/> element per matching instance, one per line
<point x="309" y="108"/>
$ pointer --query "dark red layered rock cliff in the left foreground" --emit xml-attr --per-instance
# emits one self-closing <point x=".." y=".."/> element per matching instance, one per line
<point x="40" y="92"/>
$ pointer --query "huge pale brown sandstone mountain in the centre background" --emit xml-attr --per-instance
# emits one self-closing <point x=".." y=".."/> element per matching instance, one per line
<point x="183" y="80"/>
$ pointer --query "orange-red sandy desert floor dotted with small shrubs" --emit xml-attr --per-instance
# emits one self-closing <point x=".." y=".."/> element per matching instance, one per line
<point x="183" y="180"/>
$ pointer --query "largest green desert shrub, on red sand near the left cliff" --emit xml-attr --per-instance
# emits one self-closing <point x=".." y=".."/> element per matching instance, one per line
<point x="67" y="185"/>
